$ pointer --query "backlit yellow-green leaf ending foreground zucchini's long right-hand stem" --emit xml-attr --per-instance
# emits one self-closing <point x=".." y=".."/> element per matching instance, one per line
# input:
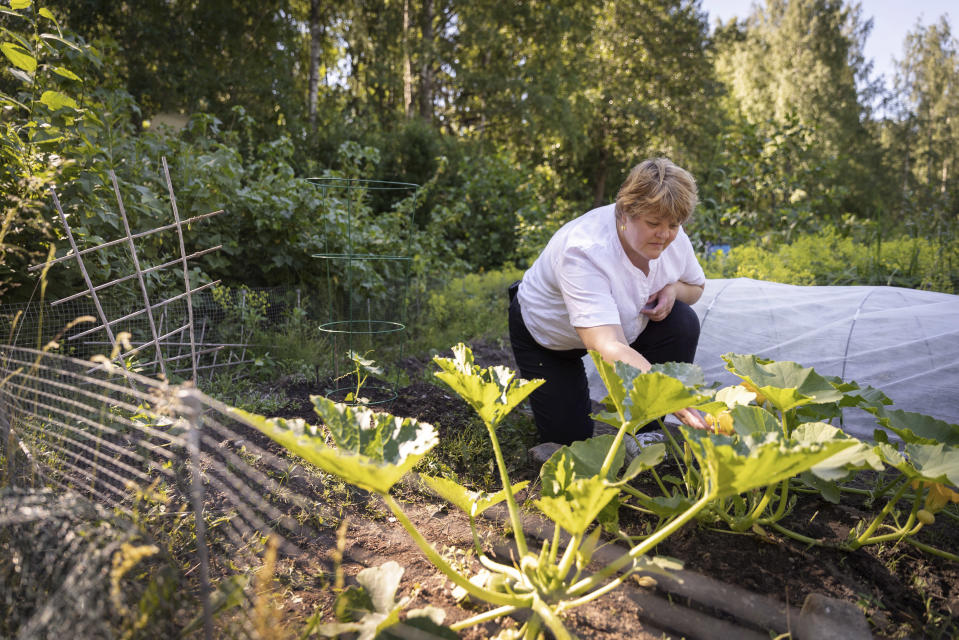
<point x="733" y="467"/>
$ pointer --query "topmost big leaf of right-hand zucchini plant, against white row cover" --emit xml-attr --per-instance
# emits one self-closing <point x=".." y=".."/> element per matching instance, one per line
<point x="786" y="385"/>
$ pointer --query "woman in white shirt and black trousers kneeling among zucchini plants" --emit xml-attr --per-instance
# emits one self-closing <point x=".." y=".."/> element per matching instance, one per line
<point x="620" y="280"/>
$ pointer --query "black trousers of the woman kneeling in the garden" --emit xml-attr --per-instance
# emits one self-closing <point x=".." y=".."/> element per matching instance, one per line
<point x="561" y="406"/>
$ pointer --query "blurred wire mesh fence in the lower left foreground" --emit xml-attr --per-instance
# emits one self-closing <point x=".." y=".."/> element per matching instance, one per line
<point x="135" y="508"/>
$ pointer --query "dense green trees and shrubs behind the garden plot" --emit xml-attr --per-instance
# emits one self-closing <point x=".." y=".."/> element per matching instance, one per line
<point x="514" y="119"/>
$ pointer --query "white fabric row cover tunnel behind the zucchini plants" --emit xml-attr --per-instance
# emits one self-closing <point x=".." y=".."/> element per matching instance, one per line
<point x="904" y="342"/>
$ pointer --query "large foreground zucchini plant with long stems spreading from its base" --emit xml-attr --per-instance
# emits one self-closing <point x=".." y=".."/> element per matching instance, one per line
<point x="582" y="484"/>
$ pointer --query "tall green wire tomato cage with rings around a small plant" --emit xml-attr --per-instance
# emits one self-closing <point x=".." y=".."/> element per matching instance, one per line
<point x="368" y="232"/>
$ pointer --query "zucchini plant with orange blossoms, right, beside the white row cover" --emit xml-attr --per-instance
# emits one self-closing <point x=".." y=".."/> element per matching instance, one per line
<point x="783" y="401"/>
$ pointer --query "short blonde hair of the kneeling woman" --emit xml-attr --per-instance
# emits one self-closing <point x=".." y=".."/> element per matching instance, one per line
<point x="659" y="187"/>
